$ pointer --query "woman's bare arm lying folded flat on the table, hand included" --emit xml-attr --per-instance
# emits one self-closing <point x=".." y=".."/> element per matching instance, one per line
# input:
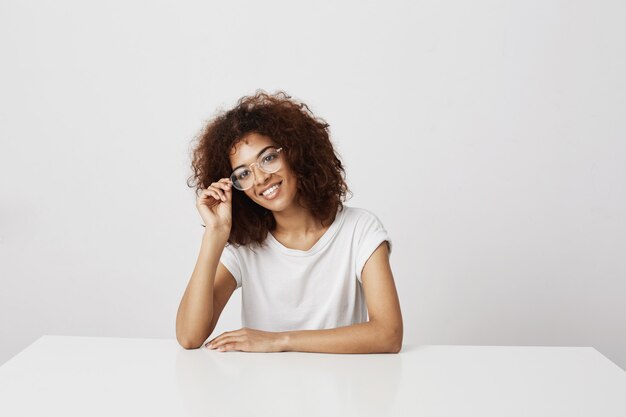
<point x="381" y="334"/>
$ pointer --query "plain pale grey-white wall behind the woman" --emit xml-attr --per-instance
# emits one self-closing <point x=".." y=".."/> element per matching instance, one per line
<point x="488" y="136"/>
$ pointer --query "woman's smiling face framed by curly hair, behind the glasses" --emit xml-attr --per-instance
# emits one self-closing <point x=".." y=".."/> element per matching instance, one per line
<point x="247" y="152"/>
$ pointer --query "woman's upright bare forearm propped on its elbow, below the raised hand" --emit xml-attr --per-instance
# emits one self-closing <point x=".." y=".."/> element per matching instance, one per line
<point x="195" y="313"/>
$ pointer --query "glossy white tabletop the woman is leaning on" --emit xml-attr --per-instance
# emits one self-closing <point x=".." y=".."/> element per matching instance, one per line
<point x="89" y="376"/>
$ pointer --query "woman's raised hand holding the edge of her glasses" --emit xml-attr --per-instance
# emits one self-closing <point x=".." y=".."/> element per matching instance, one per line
<point x="215" y="205"/>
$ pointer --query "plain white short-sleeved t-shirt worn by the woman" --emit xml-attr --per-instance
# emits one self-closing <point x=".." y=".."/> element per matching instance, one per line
<point x="289" y="289"/>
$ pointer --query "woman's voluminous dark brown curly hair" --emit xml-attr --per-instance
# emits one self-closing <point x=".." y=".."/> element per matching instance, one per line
<point x="309" y="153"/>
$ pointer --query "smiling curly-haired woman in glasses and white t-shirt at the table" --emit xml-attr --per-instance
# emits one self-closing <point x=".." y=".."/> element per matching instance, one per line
<point x="307" y="264"/>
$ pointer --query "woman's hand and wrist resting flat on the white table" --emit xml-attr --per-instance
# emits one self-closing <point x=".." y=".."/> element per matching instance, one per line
<point x="248" y="340"/>
